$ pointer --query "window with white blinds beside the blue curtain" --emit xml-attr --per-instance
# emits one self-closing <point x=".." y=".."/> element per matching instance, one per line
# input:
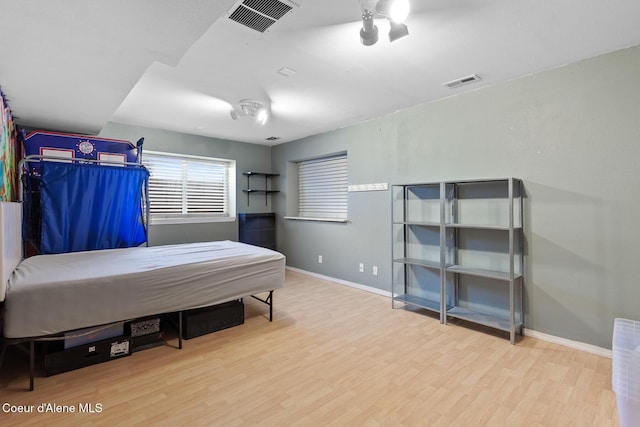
<point x="190" y="189"/>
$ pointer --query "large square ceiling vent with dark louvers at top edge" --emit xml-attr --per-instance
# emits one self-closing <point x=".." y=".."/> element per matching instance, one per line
<point x="259" y="15"/>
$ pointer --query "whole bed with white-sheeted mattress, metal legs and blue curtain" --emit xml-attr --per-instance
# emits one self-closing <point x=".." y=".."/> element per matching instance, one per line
<point x="110" y="278"/>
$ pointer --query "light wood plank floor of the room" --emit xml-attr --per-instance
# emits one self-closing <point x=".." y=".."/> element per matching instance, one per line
<point x="333" y="356"/>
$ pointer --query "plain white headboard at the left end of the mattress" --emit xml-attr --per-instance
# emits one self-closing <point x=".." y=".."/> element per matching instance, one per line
<point x="10" y="242"/>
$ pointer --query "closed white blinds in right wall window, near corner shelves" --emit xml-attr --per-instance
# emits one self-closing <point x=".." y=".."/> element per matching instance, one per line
<point x="322" y="187"/>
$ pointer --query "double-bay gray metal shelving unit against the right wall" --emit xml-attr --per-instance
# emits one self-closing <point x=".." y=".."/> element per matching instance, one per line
<point x="468" y="235"/>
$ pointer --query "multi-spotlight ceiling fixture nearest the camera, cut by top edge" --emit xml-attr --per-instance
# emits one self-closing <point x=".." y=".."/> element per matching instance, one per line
<point x="396" y="11"/>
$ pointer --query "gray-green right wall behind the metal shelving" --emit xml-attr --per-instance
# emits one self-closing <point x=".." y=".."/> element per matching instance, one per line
<point x="571" y="134"/>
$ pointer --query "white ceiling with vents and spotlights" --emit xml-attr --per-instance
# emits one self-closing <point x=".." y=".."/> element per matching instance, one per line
<point x="75" y="65"/>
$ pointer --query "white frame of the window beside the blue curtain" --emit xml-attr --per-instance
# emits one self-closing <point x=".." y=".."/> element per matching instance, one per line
<point x="195" y="218"/>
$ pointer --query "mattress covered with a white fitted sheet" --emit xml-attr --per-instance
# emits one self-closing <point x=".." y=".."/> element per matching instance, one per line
<point x="49" y="294"/>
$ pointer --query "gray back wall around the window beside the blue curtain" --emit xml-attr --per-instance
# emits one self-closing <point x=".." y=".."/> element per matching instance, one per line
<point x="248" y="157"/>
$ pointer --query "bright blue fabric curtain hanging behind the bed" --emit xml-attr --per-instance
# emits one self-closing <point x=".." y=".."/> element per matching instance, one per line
<point x="90" y="207"/>
